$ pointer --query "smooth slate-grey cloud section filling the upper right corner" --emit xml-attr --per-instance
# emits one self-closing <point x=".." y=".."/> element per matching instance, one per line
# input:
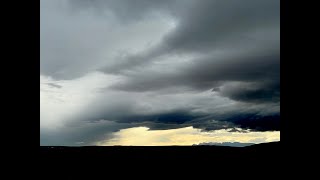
<point x="226" y="24"/>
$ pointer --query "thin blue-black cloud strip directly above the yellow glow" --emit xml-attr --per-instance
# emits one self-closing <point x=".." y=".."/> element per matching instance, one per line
<point x="209" y="122"/>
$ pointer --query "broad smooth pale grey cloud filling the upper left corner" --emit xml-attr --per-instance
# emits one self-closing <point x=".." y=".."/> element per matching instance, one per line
<point x="76" y="41"/>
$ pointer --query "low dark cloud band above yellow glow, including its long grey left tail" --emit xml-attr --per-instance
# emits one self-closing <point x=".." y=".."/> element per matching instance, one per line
<point x="236" y="117"/>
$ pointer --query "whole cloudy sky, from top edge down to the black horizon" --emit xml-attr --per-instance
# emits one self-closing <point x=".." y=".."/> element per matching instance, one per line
<point x="159" y="73"/>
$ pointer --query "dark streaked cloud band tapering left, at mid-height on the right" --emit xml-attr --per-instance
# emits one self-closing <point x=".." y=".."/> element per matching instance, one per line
<point x="257" y="77"/>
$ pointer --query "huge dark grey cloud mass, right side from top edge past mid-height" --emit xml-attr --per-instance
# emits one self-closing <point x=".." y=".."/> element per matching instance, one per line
<point x="253" y="42"/>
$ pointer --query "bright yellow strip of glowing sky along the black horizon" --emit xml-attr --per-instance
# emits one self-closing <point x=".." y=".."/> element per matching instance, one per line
<point x="142" y="136"/>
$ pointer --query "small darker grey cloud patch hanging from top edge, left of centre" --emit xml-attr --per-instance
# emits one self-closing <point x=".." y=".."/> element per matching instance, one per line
<point x="127" y="11"/>
